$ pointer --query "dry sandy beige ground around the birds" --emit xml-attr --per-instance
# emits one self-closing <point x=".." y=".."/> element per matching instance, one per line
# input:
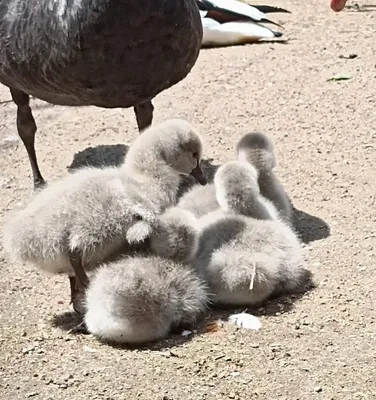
<point x="320" y="346"/>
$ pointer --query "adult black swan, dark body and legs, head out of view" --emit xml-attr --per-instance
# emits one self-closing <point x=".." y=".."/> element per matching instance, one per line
<point x="106" y="53"/>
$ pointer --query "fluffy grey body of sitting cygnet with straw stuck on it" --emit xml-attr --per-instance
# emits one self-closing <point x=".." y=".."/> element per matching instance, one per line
<point x="244" y="260"/>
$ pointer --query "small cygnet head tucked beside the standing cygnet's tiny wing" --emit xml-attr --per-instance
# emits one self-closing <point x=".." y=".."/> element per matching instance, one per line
<point x="176" y="236"/>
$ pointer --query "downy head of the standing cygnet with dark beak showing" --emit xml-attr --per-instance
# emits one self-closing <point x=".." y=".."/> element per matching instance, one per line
<point x="174" y="143"/>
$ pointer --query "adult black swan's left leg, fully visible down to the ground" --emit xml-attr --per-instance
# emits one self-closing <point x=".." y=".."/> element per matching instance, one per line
<point x="26" y="129"/>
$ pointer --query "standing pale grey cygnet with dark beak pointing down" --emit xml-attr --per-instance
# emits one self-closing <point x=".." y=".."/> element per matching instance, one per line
<point x="84" y="218"/>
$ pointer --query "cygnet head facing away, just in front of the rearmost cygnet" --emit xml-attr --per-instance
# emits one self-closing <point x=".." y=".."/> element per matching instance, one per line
<point x="236" y="186"/>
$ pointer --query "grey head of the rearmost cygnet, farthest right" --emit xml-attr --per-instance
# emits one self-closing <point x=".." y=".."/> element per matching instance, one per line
<point x="258" y="150"/>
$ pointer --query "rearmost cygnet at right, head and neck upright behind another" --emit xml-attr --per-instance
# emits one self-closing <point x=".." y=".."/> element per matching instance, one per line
<point x="258" y="150"/>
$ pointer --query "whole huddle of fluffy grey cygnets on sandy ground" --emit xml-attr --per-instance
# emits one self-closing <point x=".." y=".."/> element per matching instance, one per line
<point x="142" y="262"/>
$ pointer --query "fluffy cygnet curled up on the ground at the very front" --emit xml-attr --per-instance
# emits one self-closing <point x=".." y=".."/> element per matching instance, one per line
<point x="141" y="299"/>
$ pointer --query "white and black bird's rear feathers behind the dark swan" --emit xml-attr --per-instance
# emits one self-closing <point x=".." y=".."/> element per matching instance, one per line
<point x="231" y="22"/>
